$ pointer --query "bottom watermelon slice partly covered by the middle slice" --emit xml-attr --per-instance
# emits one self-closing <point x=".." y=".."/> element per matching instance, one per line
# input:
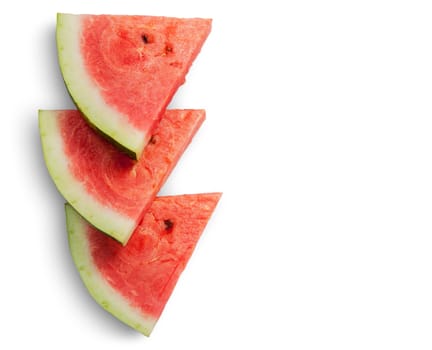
<point x="135" y="282"/>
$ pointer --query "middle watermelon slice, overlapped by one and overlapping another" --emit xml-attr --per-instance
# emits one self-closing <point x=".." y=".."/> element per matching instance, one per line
<point x="103" y="184"/>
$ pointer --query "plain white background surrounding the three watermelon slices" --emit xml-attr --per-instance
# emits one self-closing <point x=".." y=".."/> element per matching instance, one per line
<point x="319" y="133"/>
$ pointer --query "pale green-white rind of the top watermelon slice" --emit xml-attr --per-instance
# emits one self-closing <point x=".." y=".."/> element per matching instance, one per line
<point x="85" y="92"/>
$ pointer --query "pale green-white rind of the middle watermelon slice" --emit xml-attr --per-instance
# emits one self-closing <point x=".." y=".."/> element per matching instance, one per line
<point x="107" y="220"/>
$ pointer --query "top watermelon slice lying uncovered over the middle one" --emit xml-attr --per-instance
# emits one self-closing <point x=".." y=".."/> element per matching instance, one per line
<point x="122" y="71"/>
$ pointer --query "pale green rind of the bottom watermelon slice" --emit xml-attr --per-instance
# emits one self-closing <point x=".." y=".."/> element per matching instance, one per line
<point x="98" y="287"/>
